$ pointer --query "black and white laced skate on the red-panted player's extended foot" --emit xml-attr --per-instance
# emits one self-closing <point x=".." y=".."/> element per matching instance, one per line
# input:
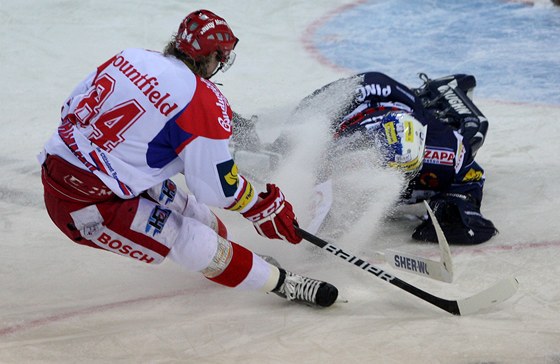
<point x="312" y="292"/>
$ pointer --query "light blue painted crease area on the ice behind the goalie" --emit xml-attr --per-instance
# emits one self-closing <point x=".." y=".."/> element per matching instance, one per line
<point x="511" y="47"/>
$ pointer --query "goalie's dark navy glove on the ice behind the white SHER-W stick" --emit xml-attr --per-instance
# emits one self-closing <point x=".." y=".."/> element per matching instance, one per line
<point x="460" y="219"/>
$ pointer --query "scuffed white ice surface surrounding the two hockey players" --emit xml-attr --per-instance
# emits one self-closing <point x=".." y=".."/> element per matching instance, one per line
<point x="63" y="303"/>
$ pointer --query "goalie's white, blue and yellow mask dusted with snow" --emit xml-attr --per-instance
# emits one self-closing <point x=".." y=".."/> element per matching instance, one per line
<point x="402" y="139"/>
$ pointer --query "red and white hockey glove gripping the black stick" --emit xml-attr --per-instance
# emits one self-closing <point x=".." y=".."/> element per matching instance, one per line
<point x="273" y="216"/>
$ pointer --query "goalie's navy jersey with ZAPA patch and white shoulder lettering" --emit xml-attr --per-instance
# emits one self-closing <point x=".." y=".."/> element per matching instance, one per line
<point x="448" y="165"/>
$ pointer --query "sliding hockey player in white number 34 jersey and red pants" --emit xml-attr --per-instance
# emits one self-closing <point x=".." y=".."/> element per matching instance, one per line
<point x="141" y="118"/>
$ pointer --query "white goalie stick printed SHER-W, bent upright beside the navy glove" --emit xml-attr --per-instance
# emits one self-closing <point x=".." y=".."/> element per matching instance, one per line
<point x="440" y="270"/>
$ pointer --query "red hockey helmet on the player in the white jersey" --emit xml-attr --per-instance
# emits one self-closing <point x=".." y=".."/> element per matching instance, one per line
<point x="203" y="32"/>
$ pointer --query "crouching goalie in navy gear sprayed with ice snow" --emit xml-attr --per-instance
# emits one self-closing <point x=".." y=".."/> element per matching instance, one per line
<point x="438" y="163"/>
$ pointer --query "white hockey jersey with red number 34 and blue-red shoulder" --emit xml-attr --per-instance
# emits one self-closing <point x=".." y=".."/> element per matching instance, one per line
<point x="143" y="117"/>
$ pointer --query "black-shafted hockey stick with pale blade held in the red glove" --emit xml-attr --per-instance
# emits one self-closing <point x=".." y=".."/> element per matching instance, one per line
<point x="497" y="293"/>
